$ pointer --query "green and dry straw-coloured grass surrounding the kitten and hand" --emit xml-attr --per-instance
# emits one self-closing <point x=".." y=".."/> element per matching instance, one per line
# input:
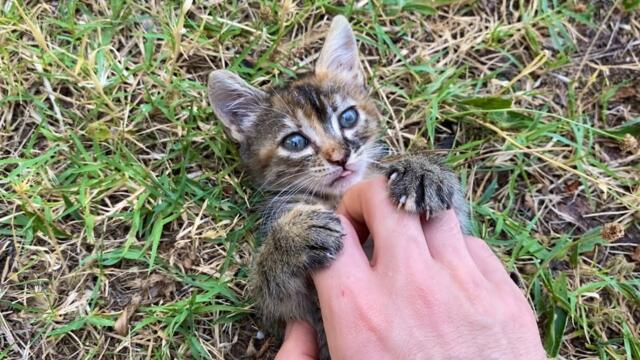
<point x="126" y="222"/>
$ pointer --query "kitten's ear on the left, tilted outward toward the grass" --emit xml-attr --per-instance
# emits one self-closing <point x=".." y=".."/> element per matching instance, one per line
<point x="234" y="102"/>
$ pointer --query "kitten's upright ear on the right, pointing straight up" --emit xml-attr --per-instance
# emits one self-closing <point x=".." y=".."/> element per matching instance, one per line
<point x="339" y="55"/>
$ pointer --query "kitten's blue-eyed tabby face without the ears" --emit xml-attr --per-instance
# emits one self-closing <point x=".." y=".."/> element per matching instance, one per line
<point x="317" y="134"/>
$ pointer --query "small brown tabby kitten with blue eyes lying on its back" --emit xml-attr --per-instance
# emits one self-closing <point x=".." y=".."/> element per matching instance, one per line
<point x="307" y="143"/>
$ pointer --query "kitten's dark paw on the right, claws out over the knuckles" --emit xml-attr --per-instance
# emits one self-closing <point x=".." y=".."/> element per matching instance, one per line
<point x="422" y="184"/>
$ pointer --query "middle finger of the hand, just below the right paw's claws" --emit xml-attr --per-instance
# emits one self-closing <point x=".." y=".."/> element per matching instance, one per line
<point x="445" y="240"/>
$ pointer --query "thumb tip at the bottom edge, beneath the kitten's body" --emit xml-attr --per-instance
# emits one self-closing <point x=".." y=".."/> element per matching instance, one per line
<point x="299" y="342"/>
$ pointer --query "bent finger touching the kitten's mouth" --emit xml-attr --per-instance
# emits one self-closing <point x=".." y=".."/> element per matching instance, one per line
<point x="397" y="234"/>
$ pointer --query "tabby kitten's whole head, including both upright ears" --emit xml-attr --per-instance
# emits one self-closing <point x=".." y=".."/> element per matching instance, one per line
<point x="317" y="134"/>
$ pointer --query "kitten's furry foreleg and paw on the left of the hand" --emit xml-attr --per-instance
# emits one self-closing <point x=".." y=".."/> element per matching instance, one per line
<point x="304" y="238"/>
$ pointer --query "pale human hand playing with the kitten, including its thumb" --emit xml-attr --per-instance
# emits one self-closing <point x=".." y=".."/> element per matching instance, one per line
<point x="429" y="292"/>
